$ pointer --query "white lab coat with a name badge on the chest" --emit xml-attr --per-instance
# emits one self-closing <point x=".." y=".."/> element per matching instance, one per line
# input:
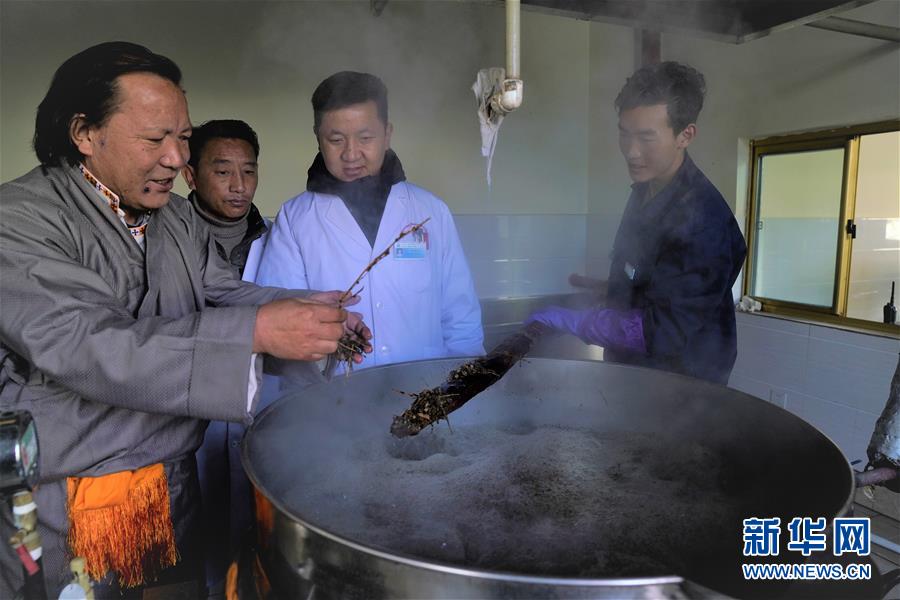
<point x="416" y="308"/>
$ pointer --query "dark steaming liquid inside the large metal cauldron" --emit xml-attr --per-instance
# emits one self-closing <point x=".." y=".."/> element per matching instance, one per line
<point x="538" y="501"/>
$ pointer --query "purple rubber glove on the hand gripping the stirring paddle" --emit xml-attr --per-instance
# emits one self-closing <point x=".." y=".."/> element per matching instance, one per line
<point x="600" y="326"/>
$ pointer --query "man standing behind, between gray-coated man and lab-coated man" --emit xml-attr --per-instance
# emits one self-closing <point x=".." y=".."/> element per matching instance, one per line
<point x="223" y="172"/>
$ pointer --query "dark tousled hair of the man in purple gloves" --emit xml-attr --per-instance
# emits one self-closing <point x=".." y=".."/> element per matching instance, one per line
<point x="680" y="87"/>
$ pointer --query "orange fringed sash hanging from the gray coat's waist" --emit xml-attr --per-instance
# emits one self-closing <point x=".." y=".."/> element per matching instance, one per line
<point x="121" y="522"/>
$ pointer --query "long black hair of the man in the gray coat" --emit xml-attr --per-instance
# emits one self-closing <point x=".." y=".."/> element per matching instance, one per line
<point x="87" y="84"/>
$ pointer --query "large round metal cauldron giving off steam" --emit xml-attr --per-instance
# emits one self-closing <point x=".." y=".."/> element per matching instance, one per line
<point x="315" y="456"/>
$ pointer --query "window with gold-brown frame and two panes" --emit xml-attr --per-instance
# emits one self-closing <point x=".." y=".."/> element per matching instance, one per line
<point x="824" y="225"/>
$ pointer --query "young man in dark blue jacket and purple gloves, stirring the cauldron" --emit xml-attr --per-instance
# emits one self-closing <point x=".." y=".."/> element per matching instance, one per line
<point x="678" y="250"/>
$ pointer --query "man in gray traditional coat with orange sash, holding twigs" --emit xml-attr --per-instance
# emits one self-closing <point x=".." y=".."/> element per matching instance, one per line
<point x="122" y="330"/>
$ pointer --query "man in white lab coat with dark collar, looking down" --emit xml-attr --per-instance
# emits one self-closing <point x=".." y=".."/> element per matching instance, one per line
<point x="419" y="301"/>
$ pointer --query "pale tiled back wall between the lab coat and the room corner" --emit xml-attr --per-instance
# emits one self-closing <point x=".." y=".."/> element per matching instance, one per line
<point x="522" y="255"/>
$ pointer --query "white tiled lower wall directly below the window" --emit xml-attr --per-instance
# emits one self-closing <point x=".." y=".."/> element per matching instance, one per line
<point x="836" y="380"/>
